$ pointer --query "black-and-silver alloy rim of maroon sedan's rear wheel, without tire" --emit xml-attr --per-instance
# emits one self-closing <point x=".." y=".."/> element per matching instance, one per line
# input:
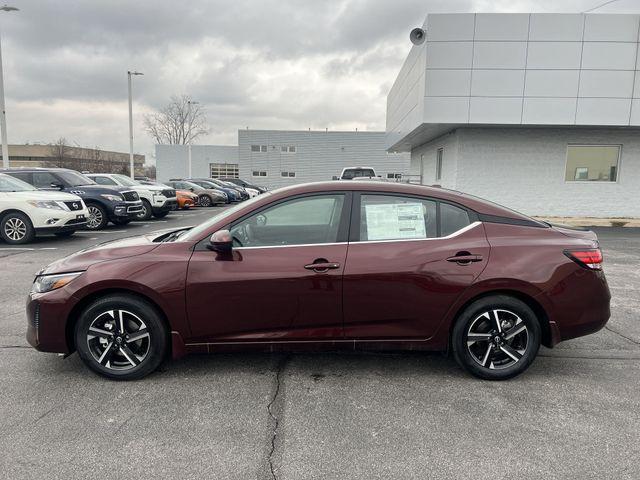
<point x="497" y="339"/>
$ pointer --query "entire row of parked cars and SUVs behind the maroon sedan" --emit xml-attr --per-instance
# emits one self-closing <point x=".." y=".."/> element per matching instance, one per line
<point x="35" y="201"/>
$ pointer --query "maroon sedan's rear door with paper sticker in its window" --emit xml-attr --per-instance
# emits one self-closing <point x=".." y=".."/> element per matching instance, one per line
<point x="409" y="259"/>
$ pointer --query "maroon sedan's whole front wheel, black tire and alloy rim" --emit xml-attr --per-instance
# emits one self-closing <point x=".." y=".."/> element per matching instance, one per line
<point x="126" y="359"/>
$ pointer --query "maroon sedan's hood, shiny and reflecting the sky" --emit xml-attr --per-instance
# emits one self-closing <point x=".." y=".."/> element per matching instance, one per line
<point x="113" y="250"/>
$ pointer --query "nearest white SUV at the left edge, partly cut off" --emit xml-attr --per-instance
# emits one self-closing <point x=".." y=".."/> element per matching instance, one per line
<point x="26" y="211"/>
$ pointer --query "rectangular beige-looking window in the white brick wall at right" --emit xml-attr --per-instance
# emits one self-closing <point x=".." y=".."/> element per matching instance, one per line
<point x="592" y="163"/>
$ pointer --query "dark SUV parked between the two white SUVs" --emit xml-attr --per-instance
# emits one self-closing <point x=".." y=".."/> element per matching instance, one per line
<point x="118" y="205"/>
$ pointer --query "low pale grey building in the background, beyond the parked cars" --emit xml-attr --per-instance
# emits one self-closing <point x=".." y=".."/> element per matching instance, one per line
<point x="275" y="158"/>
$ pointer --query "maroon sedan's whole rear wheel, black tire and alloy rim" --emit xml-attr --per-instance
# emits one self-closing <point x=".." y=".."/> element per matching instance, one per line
<point x="496" y="338"/>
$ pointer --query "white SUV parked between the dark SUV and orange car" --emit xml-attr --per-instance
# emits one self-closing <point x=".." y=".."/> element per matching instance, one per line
<point x="157" y="200"/>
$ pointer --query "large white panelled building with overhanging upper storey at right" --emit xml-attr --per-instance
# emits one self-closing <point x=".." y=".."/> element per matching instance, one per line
<point x="538" y="112"/>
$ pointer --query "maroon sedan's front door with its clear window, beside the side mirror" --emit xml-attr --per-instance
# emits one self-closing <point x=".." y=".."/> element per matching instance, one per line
<point x="283" y="280"/>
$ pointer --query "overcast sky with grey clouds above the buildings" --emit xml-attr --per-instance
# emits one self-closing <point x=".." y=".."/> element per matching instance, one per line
<point x="276" y="64"/>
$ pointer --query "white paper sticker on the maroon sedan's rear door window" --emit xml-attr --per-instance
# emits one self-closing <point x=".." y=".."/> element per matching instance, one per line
<point x="395" y="221"/>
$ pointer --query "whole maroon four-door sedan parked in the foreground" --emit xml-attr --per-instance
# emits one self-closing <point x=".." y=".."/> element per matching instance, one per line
<point x="351" y="265"/>
